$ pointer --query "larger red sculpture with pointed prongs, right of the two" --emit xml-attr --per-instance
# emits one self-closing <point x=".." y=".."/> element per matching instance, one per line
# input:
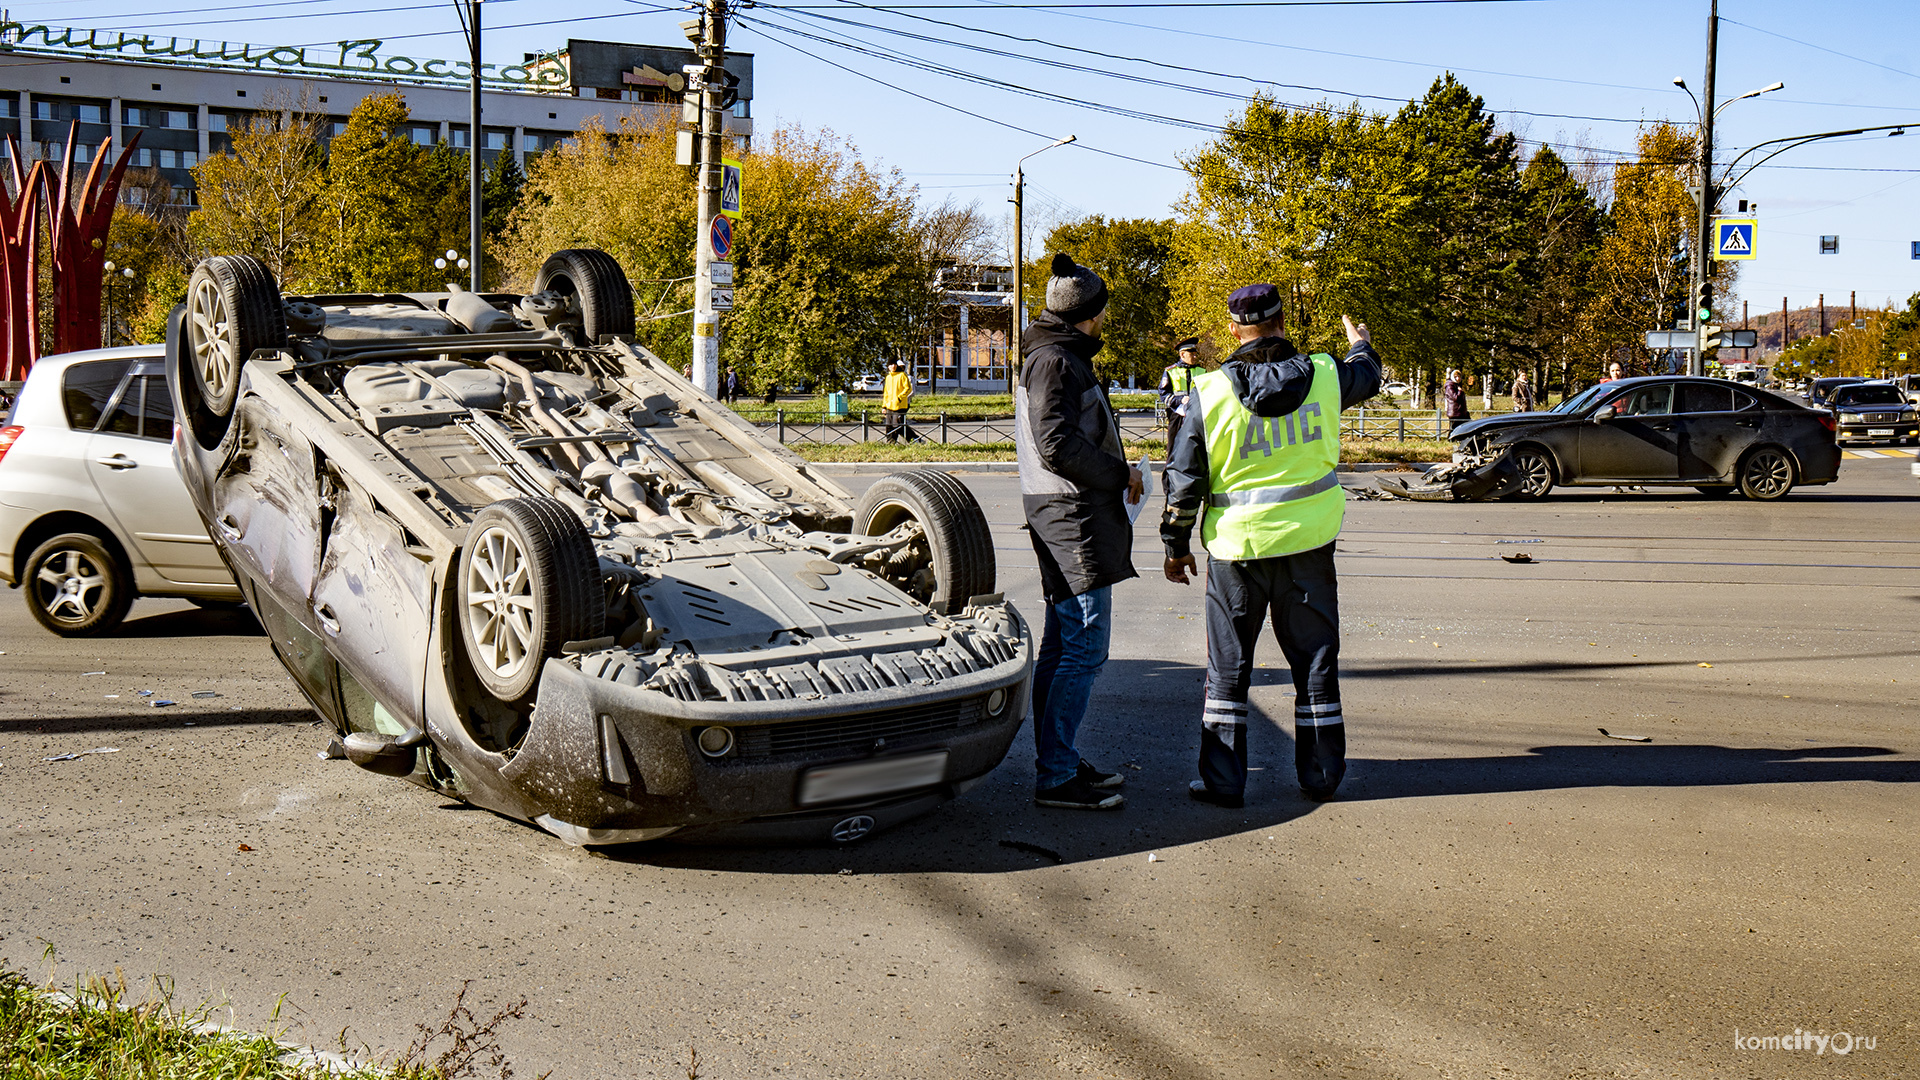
<point x="78" y="237"/>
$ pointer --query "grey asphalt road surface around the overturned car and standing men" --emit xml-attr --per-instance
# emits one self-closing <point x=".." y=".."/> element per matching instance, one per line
<point x="1499" y="893"/>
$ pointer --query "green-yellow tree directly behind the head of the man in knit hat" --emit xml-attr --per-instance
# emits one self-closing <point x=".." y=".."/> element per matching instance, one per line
<point x="1132" y="255"/>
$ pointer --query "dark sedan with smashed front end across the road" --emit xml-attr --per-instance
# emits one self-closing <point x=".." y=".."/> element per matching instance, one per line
<point x="1666" y="430"/>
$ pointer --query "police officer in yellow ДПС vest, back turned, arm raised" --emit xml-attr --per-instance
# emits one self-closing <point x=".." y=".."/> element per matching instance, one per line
<point x="1257" y="458"/>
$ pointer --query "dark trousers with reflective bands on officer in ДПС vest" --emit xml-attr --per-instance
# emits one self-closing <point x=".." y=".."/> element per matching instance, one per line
<point x="1301" y="597"/>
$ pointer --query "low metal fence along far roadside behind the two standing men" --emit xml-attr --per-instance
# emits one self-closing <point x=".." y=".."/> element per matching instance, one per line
<point x="867" y="426"/>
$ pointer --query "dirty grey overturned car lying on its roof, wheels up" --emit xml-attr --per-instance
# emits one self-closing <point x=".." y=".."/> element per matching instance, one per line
<point x="523" y="562"/>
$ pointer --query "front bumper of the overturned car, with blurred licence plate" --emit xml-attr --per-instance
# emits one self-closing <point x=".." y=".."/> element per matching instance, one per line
<point x="606" y="762"/>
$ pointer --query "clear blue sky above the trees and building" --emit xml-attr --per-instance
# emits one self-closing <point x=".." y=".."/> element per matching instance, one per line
<point x="1608" y="61"/>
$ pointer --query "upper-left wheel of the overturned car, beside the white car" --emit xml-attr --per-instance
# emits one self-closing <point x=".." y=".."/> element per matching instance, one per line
<point x="233" y="308"/>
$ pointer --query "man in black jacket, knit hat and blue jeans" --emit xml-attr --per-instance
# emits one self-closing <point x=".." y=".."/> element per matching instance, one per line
<point x="1072" y="481"/>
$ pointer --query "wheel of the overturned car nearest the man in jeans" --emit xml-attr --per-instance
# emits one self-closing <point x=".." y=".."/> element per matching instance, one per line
<point x="953" y="558"/>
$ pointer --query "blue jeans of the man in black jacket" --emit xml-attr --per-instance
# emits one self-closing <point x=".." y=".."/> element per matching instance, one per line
<point x="1072" y="654"/>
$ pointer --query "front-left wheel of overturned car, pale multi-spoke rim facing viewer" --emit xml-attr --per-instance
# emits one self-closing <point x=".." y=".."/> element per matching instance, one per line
<point x="529" y="583"/>
